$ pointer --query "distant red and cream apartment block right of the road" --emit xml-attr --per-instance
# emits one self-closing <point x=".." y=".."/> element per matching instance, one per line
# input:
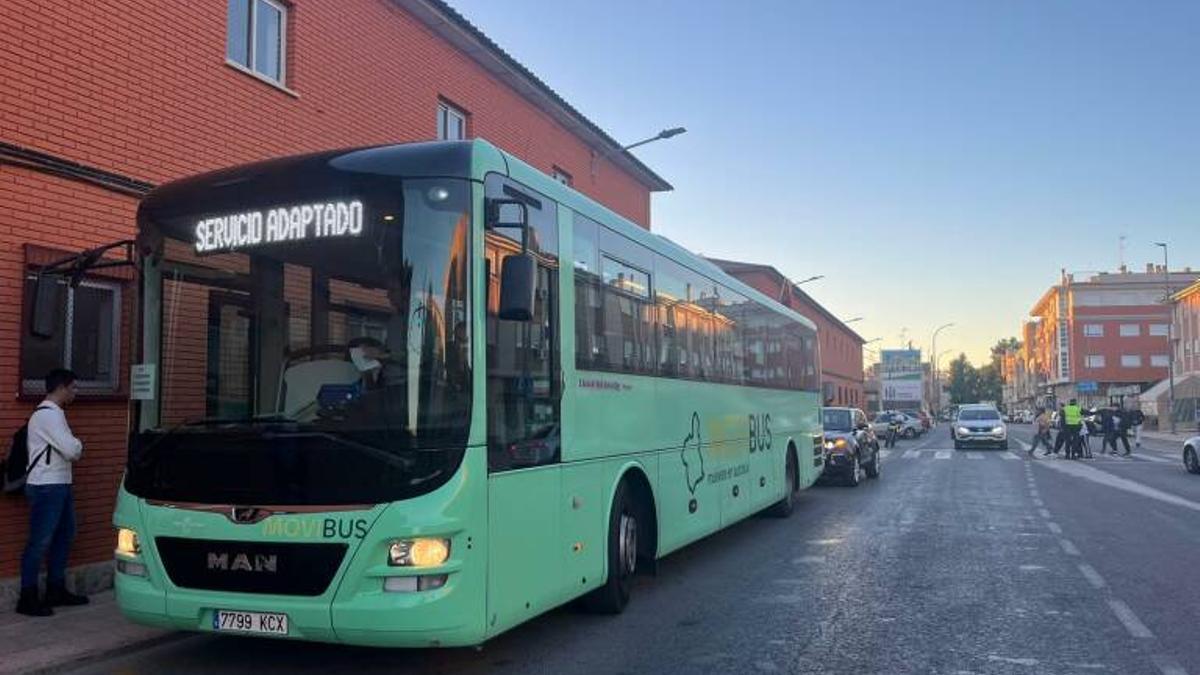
<point x="1101" y="338"/>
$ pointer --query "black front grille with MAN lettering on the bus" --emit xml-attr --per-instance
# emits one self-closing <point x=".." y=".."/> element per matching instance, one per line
<point x="250" y="568"/>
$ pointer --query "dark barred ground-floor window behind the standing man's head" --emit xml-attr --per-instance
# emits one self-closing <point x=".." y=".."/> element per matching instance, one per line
<point x="86" y="338"/>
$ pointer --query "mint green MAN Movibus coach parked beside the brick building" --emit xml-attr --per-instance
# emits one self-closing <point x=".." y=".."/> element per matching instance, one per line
<point x="417" y="395"/>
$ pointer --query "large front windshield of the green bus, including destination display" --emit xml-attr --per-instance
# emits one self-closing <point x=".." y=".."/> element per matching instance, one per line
<point x="309" y="355"/>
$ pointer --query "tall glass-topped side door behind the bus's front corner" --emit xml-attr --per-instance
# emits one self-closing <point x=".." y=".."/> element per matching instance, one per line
<point x="524" y="393"/>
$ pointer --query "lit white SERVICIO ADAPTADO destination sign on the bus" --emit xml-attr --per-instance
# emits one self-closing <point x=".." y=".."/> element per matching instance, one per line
<point x="323" y="220"/>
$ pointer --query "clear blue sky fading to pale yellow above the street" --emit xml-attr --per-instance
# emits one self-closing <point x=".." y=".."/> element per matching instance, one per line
<point x="938" y="162"/>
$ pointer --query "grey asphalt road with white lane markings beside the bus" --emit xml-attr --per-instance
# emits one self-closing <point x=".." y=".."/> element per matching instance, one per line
<point x="956" y="563"/>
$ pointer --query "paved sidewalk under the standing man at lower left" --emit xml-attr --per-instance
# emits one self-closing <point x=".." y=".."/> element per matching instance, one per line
<point x="70" y="637"/>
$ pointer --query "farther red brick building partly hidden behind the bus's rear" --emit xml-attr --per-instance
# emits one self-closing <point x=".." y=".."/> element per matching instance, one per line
<point x="842" y="349"/>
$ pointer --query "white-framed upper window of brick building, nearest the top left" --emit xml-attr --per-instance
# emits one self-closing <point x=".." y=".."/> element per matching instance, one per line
<point x="256" y="37"/>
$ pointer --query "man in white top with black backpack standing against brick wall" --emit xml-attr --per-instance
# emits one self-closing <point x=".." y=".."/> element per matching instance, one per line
<point x="53" y="449"/>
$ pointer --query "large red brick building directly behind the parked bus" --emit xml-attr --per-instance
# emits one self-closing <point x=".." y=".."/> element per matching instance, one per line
<point x="100" y="101"/>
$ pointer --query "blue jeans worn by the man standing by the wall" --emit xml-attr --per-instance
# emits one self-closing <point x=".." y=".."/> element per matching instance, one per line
<point x="51" y="531"/>
